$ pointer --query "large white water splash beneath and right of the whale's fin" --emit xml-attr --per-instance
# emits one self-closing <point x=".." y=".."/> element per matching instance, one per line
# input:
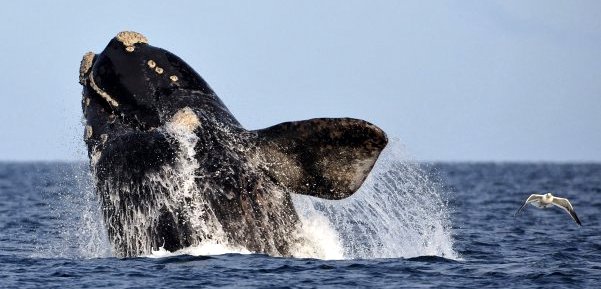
<point x="398" y="212"/>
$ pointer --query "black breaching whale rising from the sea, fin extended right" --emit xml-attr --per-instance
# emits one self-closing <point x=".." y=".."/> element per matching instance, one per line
<point x="173" y="168"/>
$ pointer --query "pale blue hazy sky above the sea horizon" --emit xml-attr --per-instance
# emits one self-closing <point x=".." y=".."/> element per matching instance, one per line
<point x="453" y="80"/>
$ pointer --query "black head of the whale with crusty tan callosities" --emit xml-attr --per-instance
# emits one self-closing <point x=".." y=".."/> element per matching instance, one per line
<point x="142" y="85"/>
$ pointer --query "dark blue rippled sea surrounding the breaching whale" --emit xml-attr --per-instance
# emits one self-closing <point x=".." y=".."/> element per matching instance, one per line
<point x="465" y="236"/>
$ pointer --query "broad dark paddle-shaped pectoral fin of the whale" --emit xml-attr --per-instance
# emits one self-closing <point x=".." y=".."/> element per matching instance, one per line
<point x="324" y="157"/>
